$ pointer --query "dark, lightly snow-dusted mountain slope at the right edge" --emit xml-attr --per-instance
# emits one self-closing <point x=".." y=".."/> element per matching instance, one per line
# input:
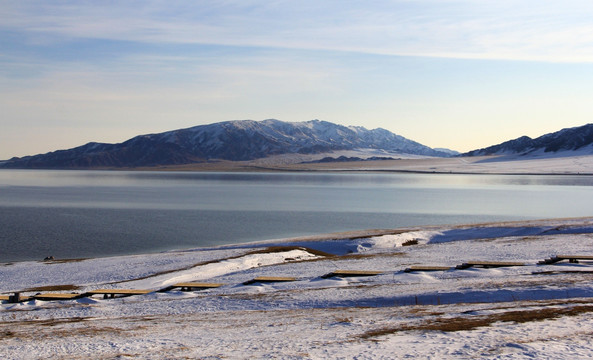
<point x="566" y="140"/>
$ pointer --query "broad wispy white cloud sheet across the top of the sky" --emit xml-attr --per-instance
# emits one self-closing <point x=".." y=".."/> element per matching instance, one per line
<point x="505" y="29"/>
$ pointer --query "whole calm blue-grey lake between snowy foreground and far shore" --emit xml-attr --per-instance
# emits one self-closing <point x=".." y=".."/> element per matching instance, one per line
<point x="73" y="214"/>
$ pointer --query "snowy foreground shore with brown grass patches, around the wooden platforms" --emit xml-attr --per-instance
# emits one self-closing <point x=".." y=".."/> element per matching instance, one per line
<point x="530" y="311"/>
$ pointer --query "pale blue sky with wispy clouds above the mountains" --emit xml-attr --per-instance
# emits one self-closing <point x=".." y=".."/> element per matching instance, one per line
<point x="461" y="74"/>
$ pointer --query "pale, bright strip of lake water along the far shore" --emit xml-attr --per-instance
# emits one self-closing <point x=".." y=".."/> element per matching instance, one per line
<point x="141" y="178"/>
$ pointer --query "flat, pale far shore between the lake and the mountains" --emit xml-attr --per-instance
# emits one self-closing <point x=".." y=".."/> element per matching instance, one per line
<point x="578" y="165"/>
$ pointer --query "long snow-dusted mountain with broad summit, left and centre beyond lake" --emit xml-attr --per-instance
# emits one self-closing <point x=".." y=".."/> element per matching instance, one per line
<point x="230" y="140"/>
